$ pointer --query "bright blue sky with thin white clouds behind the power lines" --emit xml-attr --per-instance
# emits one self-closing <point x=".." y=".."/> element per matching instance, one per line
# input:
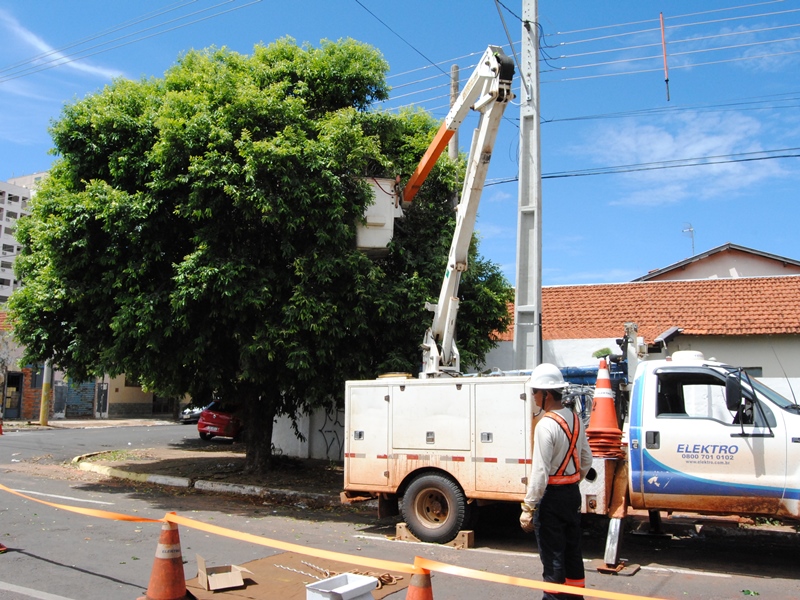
<point x="733" y="107"/>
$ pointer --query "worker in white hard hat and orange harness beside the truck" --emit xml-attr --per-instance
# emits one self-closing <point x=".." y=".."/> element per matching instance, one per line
<point x="561" y="459"/>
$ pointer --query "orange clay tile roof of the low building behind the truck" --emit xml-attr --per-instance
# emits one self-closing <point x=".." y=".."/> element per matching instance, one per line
<point x="745" y="306"/>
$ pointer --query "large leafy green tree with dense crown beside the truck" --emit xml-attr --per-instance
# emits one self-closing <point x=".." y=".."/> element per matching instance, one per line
<point x="197" y="233"/>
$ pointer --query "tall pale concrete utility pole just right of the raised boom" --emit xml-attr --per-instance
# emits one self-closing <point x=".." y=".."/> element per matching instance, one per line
<point x="528" y="301"/>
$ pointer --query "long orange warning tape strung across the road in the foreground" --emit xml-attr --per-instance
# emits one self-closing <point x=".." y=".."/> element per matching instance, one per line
<point x="421" y="565"/>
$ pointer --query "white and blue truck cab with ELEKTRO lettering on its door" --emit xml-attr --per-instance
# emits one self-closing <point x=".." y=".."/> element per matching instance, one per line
<point x="706" y="438"/>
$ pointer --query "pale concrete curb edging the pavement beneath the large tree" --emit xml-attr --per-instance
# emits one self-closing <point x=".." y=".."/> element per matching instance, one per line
<point x="203" y="485"/>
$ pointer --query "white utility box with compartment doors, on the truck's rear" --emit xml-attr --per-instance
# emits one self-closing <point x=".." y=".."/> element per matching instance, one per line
<point x="477" y="430"/>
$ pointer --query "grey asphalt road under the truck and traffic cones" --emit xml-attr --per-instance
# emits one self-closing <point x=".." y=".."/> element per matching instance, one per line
<point x="56" y="555"/>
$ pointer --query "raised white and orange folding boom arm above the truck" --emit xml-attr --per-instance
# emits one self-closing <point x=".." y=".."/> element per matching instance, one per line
<point x="488" y="91"/>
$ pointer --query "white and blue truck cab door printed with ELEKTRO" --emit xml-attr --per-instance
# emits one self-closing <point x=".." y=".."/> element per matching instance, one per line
<point x="698" y="456"/>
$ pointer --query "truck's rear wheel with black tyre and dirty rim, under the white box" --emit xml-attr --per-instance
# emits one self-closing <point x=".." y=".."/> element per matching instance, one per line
<point x="434" y="508"/>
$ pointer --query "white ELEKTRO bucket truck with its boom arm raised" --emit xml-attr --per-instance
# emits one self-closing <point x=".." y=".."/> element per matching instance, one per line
<point x="699" y="435"/>
